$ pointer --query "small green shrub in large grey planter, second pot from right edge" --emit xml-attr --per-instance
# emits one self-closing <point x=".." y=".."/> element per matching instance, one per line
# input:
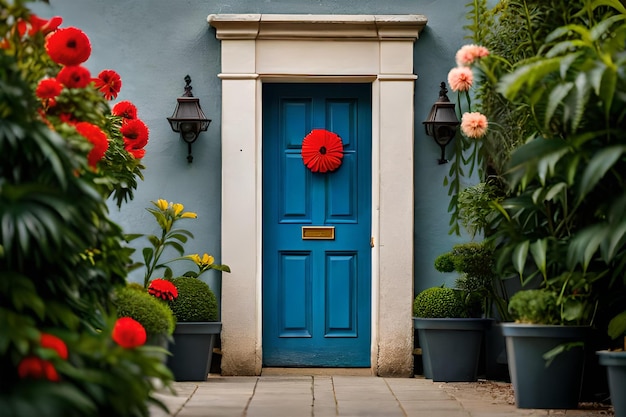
<point x="546" y="357"/>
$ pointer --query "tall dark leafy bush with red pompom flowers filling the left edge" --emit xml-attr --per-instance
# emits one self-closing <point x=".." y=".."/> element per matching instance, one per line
<point x="61" y="256"/>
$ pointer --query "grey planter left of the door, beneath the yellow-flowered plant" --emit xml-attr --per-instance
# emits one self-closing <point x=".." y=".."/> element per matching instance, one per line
<point x="192" y="350"/>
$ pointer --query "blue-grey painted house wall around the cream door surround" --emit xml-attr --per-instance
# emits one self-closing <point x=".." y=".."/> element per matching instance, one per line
<point x="154" y="44"/>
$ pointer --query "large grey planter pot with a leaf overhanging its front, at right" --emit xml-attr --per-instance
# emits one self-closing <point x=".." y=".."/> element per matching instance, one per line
<point x="536" y="385"/>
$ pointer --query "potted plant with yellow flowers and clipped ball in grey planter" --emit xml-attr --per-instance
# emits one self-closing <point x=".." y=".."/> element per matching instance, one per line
<point x="191" y="300"/>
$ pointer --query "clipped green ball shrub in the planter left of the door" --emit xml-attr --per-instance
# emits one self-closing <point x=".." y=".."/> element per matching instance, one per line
<point x="195" y="302"/>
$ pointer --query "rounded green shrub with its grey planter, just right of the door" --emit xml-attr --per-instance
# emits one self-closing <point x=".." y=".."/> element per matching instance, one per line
<point x="441" y="318"/>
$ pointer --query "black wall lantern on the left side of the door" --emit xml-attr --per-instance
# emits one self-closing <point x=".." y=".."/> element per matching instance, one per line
<point x="188" y="118"/>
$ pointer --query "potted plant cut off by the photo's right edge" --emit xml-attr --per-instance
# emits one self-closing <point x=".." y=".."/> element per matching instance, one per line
<point x="615" y="362"/>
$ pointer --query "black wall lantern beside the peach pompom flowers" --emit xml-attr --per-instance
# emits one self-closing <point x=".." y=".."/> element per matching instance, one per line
<point x="442" y="122"/>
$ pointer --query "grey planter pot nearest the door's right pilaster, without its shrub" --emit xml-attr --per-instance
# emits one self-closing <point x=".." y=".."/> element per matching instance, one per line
<point x="451" y="347"/>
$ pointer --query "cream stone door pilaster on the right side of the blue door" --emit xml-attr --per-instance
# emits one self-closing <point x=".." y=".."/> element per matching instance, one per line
<point x="395" y="323"/>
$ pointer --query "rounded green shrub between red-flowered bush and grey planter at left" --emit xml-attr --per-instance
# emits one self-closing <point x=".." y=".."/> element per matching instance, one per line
<point x="155" y="315"/>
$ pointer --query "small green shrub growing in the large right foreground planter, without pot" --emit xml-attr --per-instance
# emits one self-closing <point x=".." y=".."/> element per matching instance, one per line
<point x="538" y="306"/>
